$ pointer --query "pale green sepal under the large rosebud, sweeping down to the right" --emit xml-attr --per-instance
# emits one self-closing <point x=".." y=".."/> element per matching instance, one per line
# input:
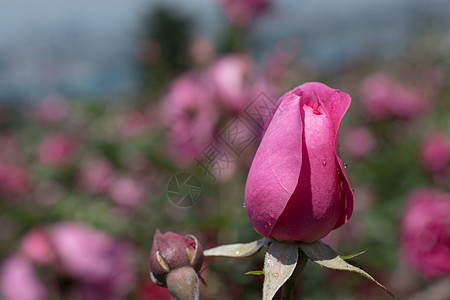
<point x="323" y="255"/>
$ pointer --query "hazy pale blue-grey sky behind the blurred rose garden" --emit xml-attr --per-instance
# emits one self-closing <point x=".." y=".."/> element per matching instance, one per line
<point x="86" y="47"/>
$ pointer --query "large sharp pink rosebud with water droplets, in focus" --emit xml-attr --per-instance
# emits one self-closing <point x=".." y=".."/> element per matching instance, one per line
<point x="297" y="189"/>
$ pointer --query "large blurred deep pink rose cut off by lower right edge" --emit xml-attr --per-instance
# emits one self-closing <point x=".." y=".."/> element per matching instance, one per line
<point x="425" y="232"/>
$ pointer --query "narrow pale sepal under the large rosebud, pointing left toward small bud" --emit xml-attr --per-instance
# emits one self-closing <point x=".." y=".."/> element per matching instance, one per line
<point x="237" y="250"/>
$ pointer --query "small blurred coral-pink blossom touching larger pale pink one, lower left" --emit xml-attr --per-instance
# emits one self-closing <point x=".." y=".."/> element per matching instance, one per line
<point x="36" y="246"/>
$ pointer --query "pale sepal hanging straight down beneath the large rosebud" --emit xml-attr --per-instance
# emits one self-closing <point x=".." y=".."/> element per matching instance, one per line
<point x="279" y="264"/>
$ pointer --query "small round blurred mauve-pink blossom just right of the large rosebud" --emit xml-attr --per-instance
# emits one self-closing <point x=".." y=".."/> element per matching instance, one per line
<point x="359" y="141"/>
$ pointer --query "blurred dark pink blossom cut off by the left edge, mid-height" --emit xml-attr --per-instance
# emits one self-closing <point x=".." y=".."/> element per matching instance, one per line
<point x="14" y="180"/>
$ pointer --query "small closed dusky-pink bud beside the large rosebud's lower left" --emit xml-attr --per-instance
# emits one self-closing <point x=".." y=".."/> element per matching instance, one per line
<point x="172" y="251"/>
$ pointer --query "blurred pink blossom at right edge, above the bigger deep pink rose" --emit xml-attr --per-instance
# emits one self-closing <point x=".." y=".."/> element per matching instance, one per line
<point x="435" y="154"/>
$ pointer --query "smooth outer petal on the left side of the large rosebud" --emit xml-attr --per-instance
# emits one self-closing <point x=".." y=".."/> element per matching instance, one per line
<point x="276" y="167"/>
